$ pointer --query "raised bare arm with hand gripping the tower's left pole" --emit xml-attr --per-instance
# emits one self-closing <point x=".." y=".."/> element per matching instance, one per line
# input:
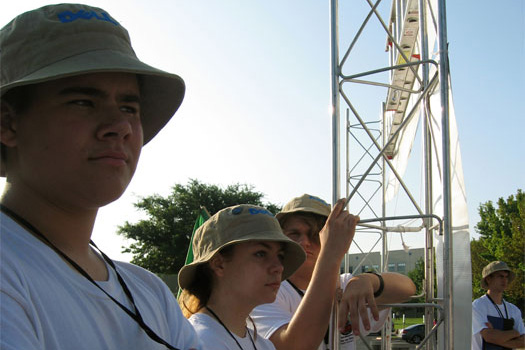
<point x="310" y="322"/>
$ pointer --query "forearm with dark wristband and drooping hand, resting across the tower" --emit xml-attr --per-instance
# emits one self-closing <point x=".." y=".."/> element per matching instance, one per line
<point x="359" y="296"/>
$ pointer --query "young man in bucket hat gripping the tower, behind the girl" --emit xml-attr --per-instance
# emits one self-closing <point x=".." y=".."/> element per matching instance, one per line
<point x="299" y="317"/>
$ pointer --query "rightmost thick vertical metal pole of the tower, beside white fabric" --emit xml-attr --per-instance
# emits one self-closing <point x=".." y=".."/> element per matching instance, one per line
<point x="447" y="198"/>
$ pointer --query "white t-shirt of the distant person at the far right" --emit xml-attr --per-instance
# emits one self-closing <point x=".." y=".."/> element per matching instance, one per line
<point x="482" y="308"/>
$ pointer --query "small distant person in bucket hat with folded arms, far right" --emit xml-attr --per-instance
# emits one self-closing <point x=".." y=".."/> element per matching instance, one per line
<point x="496" y="324"/>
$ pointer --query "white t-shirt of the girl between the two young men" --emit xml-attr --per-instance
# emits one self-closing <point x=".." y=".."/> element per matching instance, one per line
<point x="213" y="335"/>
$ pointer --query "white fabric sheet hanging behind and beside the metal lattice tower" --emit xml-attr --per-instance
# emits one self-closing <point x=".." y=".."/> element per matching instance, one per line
<point x="462" y="277"/>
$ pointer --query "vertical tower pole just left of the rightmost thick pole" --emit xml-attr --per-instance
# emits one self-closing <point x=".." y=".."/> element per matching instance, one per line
<point x="429" y="251"/>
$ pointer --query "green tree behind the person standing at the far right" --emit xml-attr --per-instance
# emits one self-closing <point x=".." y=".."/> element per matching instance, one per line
<point x="502" y="237"/>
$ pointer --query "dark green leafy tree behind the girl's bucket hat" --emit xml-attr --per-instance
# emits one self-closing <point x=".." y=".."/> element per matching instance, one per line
<point x="161" y="240"/>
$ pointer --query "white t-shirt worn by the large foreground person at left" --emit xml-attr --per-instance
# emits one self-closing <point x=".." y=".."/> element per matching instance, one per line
<point x="45" y="304"/>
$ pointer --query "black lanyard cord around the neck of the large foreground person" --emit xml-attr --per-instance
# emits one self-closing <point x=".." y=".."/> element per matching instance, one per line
<point x="134" y="315"/>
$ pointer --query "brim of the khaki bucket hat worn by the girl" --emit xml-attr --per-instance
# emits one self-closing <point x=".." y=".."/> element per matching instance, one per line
<point x="293" y="259"/>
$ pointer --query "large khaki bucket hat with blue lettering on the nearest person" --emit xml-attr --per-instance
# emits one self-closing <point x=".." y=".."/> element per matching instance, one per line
<point x="64" y="40"/>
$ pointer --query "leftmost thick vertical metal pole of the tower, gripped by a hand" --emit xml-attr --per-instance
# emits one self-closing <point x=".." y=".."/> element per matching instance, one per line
<point x="334" y="42"/>
